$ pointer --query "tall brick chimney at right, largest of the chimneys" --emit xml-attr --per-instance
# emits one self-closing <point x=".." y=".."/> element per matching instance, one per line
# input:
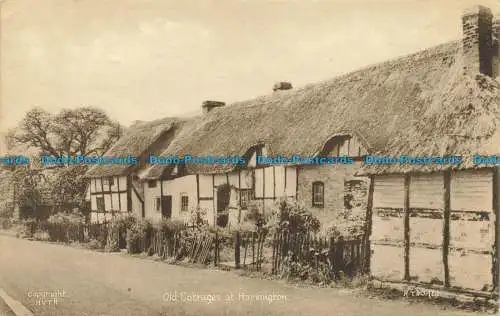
<point x="478" y="41"/>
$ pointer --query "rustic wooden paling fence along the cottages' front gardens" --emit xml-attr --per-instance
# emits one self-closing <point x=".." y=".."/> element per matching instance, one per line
<point x="252" y="250"/>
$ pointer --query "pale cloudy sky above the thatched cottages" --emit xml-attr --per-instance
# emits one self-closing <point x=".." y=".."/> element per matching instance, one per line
<point x="148" y="59"/>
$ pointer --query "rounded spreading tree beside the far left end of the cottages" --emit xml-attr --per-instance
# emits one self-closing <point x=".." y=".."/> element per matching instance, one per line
<point x="85" y="131"/>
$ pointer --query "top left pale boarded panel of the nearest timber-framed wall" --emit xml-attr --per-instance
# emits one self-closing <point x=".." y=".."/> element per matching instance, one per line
<point x="388" y="191"/>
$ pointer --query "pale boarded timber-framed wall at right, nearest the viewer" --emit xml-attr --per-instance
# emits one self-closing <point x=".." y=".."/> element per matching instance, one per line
<point x="471" y="228"/>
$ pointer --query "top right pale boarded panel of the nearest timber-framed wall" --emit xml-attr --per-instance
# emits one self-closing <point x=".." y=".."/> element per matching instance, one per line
<point x="471" y="190"/>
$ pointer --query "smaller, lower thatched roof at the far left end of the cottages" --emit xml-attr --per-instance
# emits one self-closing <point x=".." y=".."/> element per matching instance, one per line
<point x="137" y="141"/>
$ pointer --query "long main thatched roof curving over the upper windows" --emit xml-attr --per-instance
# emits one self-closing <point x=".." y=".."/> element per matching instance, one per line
<point x="414" y="105"/>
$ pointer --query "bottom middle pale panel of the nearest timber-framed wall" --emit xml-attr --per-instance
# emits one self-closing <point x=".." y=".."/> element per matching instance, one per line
<point x="426" y="264"/>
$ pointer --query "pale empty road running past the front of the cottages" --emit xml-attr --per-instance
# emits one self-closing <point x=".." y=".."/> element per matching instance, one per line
<point x="85" y="282"/>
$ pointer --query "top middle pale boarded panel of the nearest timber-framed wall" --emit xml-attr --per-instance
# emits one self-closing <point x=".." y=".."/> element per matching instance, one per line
<point x="427" y="190"/>
